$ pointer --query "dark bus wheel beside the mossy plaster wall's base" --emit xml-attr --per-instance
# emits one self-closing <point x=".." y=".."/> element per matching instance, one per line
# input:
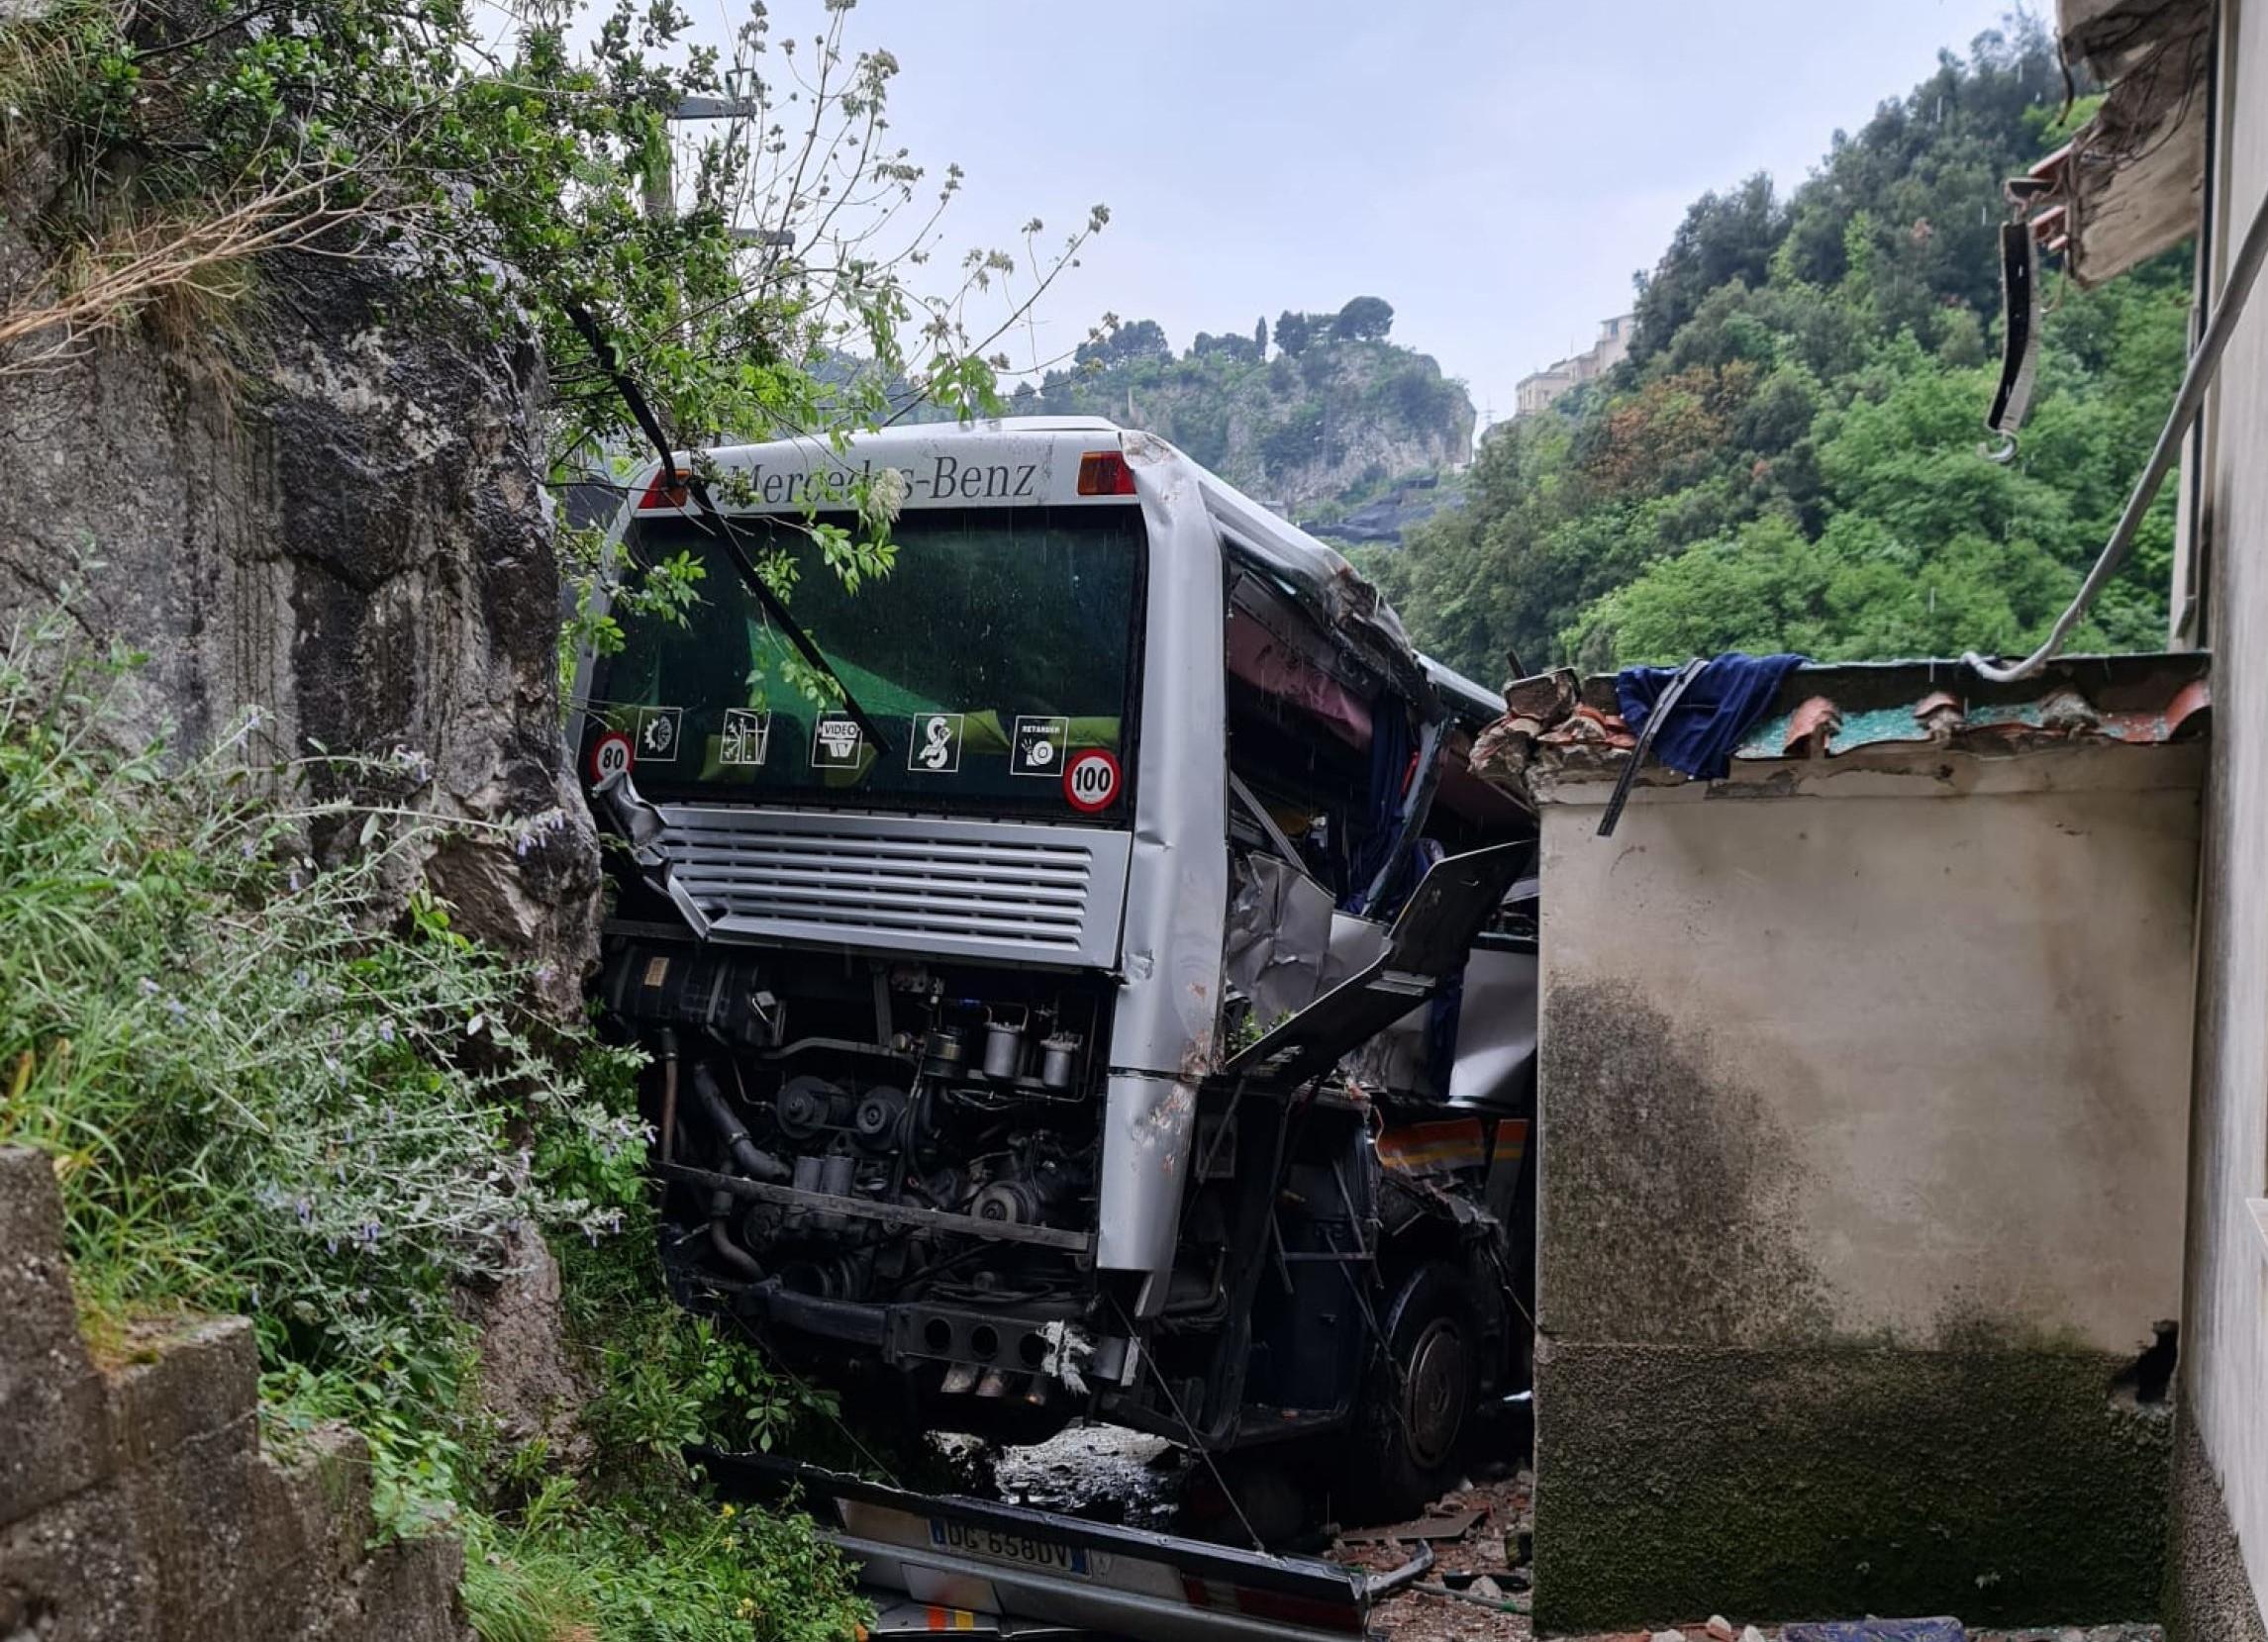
<point x="1423" y="1394"/>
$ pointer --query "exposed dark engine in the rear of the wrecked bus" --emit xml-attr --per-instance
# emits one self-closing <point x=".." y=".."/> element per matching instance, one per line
<point x="854" y="1131"/>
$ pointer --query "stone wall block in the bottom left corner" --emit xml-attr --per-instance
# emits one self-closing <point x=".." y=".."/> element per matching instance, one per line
<point x="78" y="1573"/>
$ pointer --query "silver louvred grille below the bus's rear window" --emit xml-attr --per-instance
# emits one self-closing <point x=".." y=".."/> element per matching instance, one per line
<point x="904" y="883"/>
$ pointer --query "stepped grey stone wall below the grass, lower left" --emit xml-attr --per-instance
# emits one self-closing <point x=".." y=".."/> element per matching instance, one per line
<point x="139" y="1503"/>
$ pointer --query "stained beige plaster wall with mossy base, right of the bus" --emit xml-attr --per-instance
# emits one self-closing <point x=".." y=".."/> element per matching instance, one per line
<point x="1863" y="1167"/>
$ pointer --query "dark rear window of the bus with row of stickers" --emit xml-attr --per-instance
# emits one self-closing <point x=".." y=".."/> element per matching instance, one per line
<point x="997" y="652"/>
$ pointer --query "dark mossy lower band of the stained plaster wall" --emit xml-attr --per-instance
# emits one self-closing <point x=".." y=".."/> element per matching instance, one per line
<point x="2004" y="1487"/>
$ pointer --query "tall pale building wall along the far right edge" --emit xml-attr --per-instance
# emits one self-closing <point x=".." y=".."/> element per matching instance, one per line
<point x="2226" y="1317"/>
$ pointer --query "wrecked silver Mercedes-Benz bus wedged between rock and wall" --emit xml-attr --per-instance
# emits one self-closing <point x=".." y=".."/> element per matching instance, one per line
<point x="1081" y="974"/>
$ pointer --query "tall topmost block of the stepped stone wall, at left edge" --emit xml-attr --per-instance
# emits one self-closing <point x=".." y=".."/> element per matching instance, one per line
<point x="51" y="1400"/>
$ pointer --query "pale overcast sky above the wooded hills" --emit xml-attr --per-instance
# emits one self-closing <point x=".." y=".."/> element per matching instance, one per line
<point x="1496" y="169"/>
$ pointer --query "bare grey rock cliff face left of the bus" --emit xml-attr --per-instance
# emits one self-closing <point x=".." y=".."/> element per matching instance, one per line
<point x="314" y="509"/>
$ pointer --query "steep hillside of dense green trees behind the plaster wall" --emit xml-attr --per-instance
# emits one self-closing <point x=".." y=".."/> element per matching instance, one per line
<point x="1793" y="455"/>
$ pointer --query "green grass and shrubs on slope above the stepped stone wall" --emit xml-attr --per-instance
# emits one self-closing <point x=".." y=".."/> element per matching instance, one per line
<point x="271" y="1085"/>
